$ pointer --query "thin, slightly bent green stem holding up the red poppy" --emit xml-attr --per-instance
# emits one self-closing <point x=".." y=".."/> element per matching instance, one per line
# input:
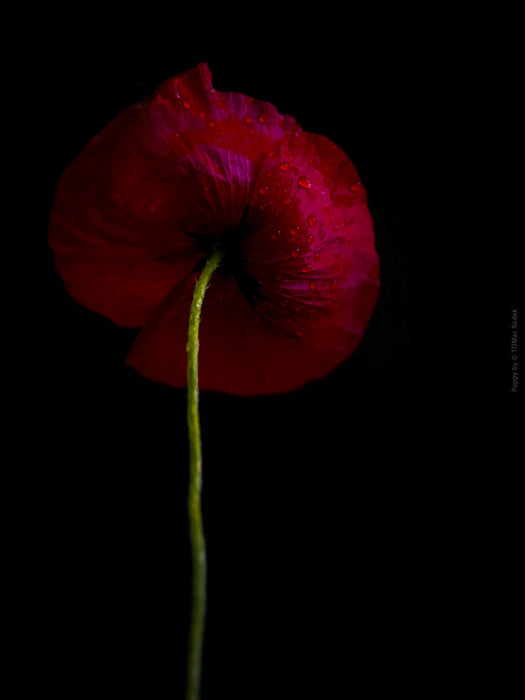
<point x="198" y="549"/>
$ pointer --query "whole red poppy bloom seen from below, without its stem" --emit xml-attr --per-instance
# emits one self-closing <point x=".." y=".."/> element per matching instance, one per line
<point x="139" y="210"/>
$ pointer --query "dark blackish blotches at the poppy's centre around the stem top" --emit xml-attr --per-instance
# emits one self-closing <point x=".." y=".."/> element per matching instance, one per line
<point x="232" y="263"/>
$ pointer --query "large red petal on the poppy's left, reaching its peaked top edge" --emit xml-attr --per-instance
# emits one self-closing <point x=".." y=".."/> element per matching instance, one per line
<point x="185" y="159"/>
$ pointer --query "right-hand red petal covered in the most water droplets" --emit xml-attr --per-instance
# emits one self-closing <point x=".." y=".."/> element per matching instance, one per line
<point x="314" y="244"/>
